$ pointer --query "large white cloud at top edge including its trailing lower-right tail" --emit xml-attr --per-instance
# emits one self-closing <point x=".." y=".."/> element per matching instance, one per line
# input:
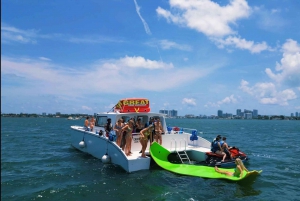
<point x="214" y="21"/>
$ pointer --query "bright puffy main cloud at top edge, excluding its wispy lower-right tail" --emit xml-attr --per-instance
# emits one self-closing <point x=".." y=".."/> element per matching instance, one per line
<point x="206" y="16"/>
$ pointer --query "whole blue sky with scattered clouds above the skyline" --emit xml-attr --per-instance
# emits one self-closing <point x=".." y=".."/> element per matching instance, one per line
<point x="196" y="57"/>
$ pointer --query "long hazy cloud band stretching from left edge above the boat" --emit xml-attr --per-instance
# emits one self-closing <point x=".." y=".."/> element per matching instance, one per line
<point x="106" y="76"/>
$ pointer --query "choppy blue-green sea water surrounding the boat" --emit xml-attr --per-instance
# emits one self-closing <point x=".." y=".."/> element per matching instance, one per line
<point x="38" y="163"/>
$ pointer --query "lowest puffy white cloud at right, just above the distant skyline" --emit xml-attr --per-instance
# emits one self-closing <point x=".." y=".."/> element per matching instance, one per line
<point x="267" y="93"/>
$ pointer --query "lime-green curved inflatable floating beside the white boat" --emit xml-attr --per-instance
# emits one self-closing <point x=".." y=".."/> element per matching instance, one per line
<point x="160" y="156"/>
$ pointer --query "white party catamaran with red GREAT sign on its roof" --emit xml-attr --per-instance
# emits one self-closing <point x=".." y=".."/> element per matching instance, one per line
<point x="188" y="145"/>
